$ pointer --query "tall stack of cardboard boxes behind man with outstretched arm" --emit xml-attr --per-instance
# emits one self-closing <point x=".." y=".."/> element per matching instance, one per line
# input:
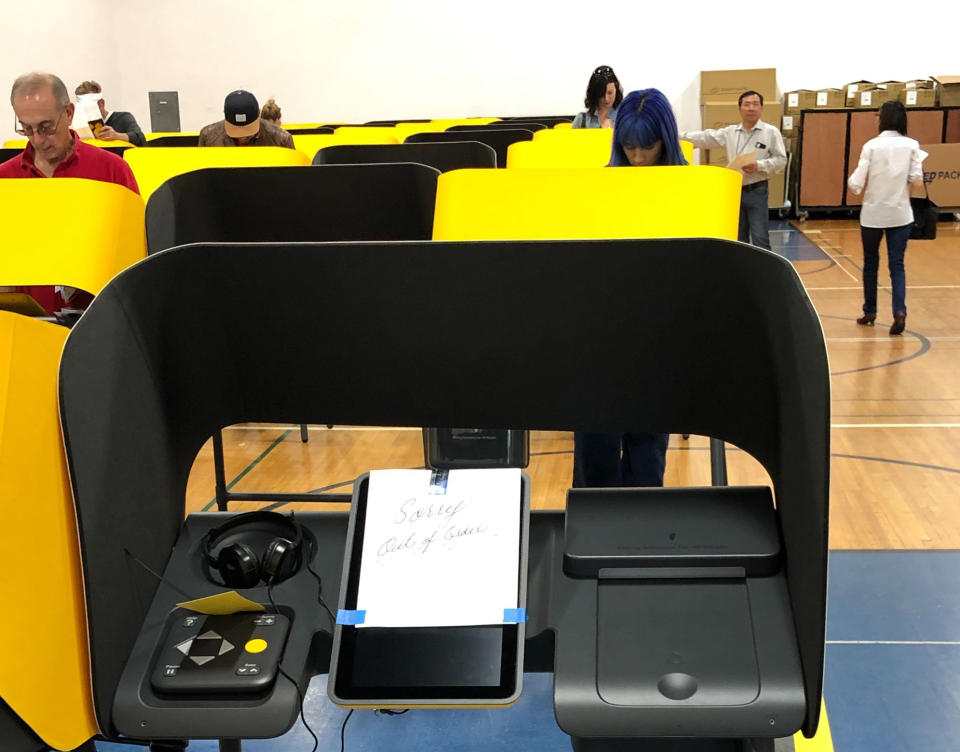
<point x="719" y="92"/>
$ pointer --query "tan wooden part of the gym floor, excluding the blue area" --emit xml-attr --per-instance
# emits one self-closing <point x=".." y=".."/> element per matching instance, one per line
<point x="895" y="475"/>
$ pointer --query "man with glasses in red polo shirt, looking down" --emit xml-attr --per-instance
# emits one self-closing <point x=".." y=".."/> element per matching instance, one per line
<point x="44" y="113"/>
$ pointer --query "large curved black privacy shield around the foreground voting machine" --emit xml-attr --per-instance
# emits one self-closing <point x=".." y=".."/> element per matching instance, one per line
<point x="696" y="336"/>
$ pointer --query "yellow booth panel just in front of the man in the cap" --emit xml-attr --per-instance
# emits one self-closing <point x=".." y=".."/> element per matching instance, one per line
<point x="157" y="164"/>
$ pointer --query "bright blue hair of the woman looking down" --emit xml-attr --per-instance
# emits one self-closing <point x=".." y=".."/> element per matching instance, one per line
<point x="644" y="118"/>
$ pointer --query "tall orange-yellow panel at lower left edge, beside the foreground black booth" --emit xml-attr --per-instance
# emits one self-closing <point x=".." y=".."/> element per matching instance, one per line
<point x="46" y="670"/>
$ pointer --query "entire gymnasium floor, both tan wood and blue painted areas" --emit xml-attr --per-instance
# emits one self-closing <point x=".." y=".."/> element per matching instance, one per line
<point x="893" y="635"/>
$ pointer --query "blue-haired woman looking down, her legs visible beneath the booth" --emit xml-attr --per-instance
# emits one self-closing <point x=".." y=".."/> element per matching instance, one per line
<point x="645" y="134"/>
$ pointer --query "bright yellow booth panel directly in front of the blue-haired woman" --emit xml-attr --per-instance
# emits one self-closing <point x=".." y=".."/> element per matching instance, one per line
<point x="614" y="202"/>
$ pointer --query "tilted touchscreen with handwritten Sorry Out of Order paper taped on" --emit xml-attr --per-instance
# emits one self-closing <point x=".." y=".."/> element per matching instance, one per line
<point x="433" y="593"/>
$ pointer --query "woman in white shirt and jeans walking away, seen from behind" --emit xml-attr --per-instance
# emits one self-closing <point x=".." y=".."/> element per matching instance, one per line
<point x="888" y="165"/>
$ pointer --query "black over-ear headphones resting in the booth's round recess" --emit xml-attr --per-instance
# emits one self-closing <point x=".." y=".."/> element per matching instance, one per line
<point x="238" y="564"/>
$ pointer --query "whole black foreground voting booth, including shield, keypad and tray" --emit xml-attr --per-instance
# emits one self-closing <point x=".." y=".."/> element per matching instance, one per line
<point x="619" y="587"/>
